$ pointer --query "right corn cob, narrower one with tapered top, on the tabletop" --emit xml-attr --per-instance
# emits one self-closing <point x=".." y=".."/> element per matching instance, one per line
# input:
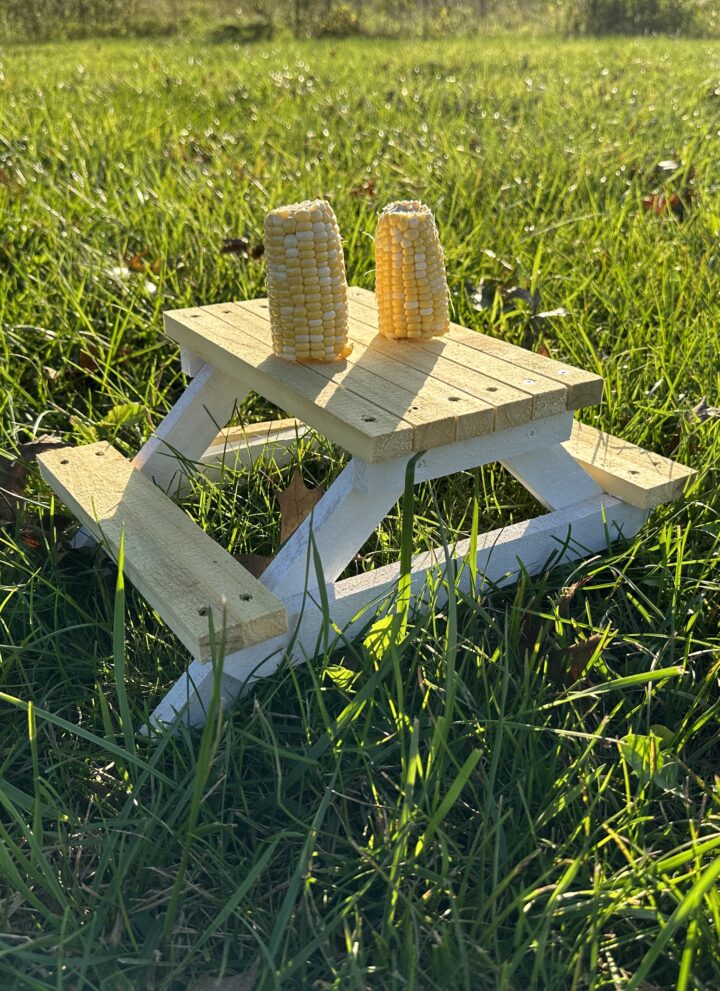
<point x="410" y="283"/>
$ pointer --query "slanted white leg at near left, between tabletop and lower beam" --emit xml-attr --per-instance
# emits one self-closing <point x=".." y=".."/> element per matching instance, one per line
<point x="340" y="524"/>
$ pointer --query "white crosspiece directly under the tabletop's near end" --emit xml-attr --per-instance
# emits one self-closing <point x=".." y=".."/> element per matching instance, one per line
<point x="538" y="435"/>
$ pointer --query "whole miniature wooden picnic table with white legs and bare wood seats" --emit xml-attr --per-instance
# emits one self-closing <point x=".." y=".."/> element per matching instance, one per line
<point x="462" y="400"/>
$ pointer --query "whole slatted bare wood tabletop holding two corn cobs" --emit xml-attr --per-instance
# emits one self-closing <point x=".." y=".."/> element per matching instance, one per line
<point x="388" y="398"/>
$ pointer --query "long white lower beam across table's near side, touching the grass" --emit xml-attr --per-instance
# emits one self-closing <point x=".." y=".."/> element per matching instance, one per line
<point x="548" y="541"/>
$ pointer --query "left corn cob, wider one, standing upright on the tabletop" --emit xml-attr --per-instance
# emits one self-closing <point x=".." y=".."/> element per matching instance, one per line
<point x="307" y="291"/>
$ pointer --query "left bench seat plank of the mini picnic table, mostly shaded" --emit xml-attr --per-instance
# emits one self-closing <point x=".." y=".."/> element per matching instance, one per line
<point x="180" y="570"/>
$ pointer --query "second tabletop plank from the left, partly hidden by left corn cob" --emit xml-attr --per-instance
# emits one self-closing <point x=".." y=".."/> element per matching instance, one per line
<point x="432" y="424"/>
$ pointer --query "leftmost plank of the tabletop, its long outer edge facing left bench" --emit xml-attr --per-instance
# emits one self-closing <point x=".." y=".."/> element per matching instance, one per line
<point x="360" y="427"/>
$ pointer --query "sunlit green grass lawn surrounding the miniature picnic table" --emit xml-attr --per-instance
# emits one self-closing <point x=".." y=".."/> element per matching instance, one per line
<point x="436" y="811"/>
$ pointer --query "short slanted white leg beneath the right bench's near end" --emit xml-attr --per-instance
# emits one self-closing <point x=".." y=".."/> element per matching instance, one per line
<point x="552" y="476"/>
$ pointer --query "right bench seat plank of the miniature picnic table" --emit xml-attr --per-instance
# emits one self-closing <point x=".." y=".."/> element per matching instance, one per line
<point x="626" y="471"/>
